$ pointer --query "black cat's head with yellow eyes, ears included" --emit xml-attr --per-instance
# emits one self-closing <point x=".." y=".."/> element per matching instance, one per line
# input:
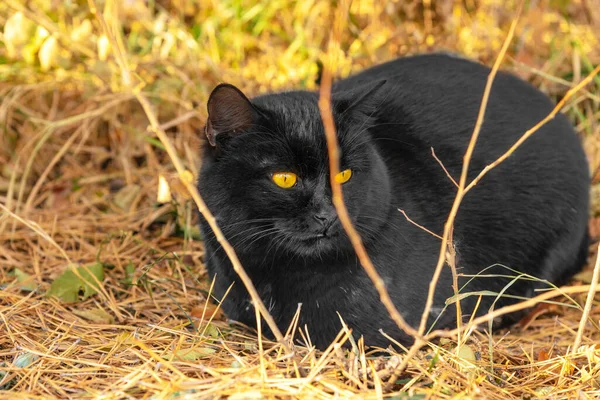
<point x="265" y="172"/>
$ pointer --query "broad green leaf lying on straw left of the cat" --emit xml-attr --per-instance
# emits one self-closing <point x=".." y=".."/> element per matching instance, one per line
<point x="68" y="285"/>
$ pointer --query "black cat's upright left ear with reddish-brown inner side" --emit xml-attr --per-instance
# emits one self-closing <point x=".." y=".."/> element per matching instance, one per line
<point x="229" y="111"/>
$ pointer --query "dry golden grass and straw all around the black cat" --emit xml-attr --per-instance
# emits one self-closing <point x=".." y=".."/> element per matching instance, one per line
<point x="102" y="287"/>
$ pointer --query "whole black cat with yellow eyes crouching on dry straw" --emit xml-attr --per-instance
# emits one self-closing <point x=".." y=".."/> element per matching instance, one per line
<point x="265" y="177"/>
